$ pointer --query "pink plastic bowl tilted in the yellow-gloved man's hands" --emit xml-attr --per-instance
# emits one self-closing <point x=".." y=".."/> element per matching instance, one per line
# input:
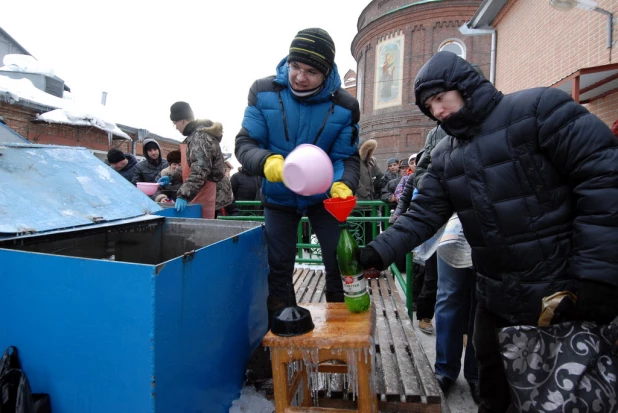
<point x="308" y="170"/>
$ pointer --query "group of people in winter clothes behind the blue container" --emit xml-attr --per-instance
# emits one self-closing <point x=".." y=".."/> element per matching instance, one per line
<point x="204" y="176"/>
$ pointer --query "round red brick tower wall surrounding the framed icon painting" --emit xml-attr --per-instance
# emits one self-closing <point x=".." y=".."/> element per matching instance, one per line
<point x="401" y="130"/>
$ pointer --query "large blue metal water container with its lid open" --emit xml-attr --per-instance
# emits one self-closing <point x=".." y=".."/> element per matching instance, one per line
<point x="114" y="308"/>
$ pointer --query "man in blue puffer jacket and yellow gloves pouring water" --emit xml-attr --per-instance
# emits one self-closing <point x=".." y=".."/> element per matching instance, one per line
<point x="303" y="103"/>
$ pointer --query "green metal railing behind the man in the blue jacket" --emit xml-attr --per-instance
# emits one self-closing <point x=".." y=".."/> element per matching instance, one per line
<point x="365" y="223"/>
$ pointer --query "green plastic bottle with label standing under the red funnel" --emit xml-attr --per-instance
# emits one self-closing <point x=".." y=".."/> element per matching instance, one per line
<point x="352" y="274"/>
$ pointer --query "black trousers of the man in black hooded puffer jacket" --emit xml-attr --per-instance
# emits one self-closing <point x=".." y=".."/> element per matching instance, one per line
<point x="493" y="387"/>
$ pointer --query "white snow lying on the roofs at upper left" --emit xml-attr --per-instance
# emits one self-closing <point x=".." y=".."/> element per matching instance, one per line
<point x="67" y="112"/>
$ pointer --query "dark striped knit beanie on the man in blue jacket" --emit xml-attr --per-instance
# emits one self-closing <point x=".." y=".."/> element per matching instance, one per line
<point x="315" y="48"/>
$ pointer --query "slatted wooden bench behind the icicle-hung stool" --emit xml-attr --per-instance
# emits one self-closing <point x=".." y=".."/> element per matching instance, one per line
<point x="404" y="378"/>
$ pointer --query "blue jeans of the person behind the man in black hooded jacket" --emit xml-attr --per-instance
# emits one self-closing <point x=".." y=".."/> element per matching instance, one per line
<point x="455" y="311"/>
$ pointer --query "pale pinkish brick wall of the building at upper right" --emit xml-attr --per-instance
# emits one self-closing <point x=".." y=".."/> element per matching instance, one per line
<point x="538" y="45"/>
